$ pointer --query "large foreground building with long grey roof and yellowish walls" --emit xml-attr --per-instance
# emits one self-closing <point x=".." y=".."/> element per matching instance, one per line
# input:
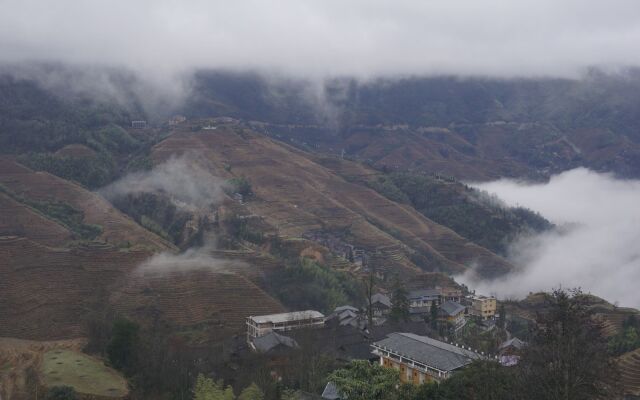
<point x="422" y="359"/>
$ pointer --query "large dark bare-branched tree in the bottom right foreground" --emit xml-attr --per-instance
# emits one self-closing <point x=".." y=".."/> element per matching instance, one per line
<point x="567" y="358"/>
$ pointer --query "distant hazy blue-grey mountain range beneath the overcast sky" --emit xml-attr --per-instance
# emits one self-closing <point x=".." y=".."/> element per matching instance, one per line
<point x="478" y="129"/>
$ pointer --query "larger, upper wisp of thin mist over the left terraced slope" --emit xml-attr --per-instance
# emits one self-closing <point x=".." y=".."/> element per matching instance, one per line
<point x="189" y="185"/>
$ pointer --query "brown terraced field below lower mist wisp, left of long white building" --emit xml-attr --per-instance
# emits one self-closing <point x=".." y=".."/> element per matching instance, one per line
<point x="216" y="302"/>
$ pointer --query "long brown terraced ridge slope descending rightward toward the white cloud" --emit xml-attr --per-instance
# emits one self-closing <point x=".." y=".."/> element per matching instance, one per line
<point x="296" y="194"/>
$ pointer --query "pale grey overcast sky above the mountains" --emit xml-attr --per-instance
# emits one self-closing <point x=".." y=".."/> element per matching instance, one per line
<point x="327" y="37"/>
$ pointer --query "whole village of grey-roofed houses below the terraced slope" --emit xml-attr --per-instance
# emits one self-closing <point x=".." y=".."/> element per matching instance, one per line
<point x="426" y="348"/>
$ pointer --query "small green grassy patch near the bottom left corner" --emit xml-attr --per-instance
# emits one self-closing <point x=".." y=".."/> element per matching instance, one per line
<point x="86" y="374"/>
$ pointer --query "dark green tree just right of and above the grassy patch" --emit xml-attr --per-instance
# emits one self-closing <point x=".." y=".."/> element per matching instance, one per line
<point x="121" y="347"/>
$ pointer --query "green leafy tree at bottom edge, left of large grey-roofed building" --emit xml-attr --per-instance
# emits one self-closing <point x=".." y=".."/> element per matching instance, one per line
<point x="361" y="380"/>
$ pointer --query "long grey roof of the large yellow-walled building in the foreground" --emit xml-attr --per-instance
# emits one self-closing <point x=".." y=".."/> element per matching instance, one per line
<point x="428" y="351"/>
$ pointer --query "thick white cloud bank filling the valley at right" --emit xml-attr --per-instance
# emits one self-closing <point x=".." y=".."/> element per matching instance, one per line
<point x="595" y="245"/>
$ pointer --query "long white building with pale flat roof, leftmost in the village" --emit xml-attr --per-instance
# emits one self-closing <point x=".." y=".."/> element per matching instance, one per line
<point x="261" y="325"/>
